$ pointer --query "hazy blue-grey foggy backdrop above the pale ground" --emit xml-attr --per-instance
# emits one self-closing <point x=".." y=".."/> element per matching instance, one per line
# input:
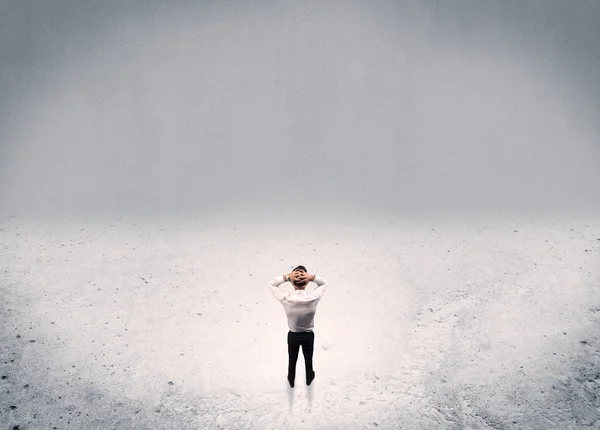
<point x="144" y="107"/>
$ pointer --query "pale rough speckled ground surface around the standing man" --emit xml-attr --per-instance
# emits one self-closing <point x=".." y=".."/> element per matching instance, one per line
<point x="167" y="324"/>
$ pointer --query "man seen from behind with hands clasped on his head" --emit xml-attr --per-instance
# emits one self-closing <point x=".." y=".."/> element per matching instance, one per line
<point x="300" y="307"/>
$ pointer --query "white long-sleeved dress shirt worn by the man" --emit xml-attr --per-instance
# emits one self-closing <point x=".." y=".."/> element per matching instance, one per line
<point x="300" y="305"/>
